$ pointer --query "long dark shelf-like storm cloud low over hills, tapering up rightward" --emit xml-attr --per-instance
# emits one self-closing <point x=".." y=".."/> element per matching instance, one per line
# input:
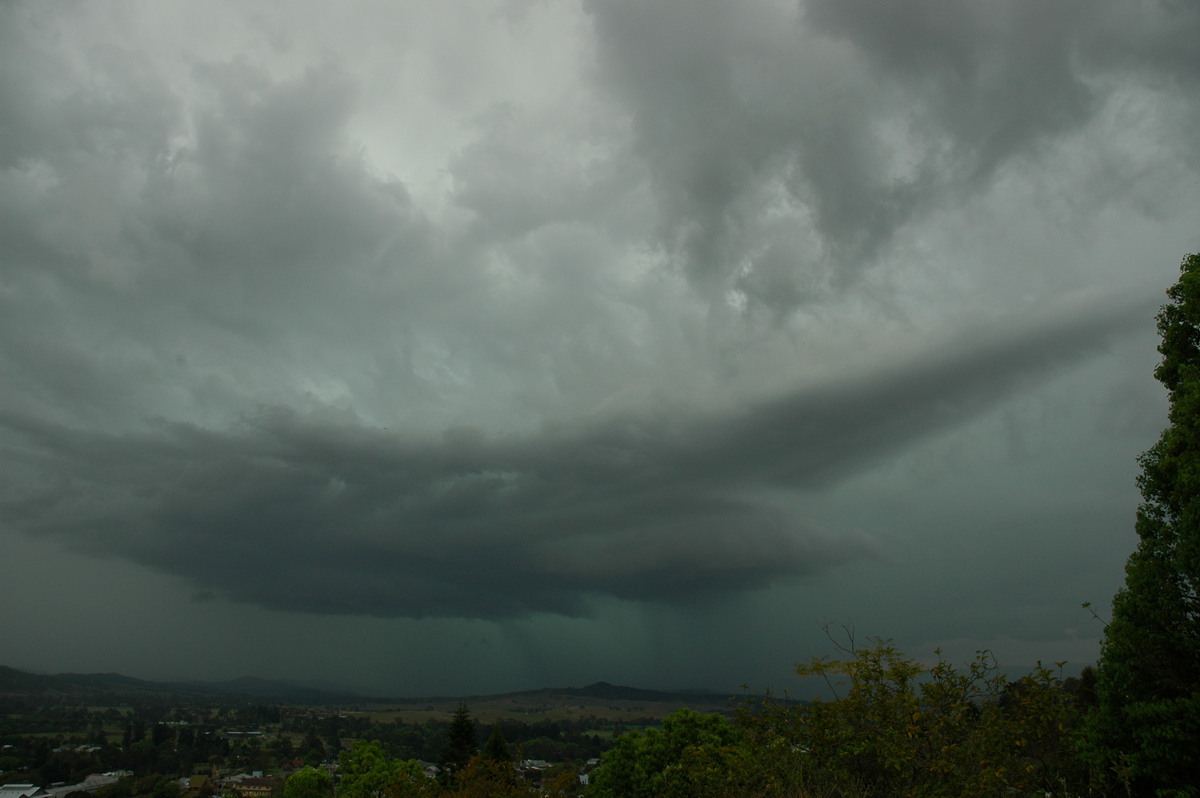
<point x="327" y="515"/>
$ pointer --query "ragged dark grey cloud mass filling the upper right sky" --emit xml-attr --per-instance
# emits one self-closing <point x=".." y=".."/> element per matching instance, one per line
<point x="788" y="145"/>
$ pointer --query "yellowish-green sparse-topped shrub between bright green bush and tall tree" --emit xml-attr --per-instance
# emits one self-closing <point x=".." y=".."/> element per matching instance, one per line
<point x="895" y="728"/>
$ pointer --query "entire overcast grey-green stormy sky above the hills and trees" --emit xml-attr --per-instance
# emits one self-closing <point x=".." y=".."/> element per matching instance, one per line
<point x="459" y="347"/>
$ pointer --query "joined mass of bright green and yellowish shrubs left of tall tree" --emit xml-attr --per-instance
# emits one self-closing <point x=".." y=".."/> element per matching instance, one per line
<point x="892" y="728"/>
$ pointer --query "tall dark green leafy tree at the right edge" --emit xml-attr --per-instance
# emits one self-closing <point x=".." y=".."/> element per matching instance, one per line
<point x="1147" y="730"/>
